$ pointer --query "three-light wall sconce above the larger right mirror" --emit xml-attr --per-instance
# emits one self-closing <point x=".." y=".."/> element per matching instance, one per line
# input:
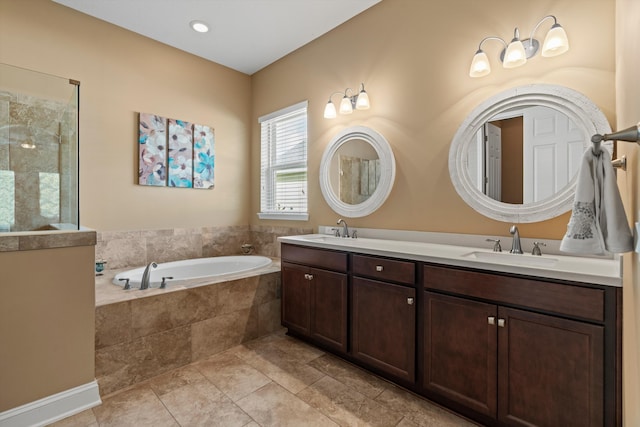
<point x="518" y="51"/>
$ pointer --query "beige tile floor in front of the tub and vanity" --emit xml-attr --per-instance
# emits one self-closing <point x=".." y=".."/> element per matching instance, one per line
<point x="272" y="381"/>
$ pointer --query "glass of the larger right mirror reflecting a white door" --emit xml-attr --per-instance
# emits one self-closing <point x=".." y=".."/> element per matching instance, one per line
<point x="525" y="155"/>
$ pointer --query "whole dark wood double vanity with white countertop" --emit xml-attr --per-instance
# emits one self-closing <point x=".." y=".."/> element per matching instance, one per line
<point x="499" y="341"/>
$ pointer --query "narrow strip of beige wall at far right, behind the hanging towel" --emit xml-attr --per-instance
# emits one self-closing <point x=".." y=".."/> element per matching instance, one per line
<point x="628" y="111"/>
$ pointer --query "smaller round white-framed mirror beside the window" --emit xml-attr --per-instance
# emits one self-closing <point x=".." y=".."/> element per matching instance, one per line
<point x="357" y="172"/>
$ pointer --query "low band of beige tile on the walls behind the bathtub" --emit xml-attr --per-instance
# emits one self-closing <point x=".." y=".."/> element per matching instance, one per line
<point x="135" y="248"/>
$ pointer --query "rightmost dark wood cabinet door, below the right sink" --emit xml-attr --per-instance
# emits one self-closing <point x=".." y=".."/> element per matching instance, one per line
<point x="551" y="371"/>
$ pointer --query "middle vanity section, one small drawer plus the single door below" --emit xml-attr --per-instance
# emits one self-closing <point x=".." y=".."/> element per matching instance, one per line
<point x="383" y="318"/>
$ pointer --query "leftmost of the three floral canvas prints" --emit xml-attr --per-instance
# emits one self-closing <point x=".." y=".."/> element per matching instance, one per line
<point x="152" y="141"/>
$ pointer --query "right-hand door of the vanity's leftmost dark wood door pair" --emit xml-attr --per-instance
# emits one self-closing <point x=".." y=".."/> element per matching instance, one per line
<point x="329" y="308"/>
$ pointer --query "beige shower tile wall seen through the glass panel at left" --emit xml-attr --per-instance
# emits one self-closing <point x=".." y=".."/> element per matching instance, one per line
<point x="44" y="123"/>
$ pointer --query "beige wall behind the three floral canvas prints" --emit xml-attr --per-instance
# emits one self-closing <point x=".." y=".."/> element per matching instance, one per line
<point x="122" y="74"/>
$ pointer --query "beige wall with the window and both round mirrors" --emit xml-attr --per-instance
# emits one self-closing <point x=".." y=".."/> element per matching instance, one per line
<point x="414" y="57"/>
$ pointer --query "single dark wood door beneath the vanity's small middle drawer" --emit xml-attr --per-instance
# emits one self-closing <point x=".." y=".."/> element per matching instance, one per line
<point x="383" y="326"/>
